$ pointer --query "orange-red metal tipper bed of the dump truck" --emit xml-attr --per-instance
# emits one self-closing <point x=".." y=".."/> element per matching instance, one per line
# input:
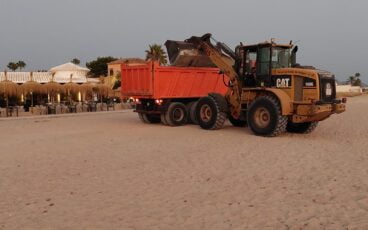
<point x="152" y="81"/>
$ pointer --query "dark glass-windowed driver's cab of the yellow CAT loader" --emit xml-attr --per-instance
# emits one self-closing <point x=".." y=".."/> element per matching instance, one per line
<point x="259" y="60"/>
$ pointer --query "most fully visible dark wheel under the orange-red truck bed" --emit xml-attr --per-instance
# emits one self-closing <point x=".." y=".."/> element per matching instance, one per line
<point x="176" y="114"/>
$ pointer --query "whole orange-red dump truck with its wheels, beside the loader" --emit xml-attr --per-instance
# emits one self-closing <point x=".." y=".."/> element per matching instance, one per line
<point x="169" y="94"/>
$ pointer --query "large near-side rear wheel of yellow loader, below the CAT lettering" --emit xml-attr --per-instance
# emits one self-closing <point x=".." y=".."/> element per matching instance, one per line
<point x="264" y="117"/>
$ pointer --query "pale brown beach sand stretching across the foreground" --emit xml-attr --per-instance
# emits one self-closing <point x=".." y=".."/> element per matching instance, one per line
<point x="110" y="171"/>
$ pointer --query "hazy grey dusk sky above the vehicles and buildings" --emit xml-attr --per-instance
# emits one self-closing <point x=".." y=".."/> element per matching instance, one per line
<point x="331" y="34"/>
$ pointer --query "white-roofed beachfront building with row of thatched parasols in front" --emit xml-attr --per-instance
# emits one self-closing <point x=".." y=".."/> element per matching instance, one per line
<point x="64" y="83"/>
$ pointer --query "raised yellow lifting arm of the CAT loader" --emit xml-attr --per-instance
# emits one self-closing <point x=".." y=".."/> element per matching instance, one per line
<point x="233" y="95"/>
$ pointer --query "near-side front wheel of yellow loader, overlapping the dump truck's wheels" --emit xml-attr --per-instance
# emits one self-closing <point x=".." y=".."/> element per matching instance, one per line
<point x="210" y="114"/>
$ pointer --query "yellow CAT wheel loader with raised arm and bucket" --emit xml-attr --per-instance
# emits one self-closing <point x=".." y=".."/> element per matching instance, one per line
<point x="267" y="90"/>
